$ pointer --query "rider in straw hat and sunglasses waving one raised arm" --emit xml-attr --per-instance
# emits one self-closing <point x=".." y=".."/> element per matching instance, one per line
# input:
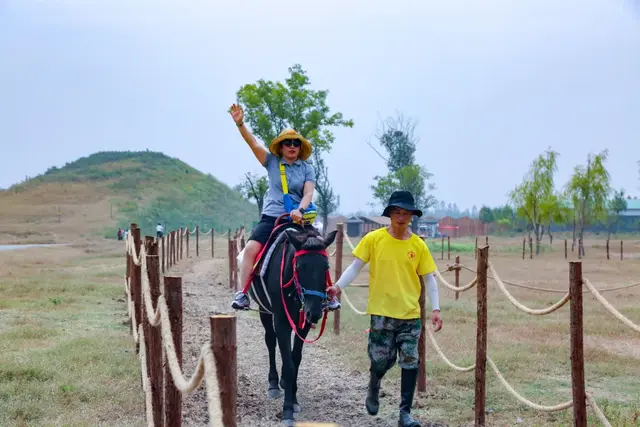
<point x="291" y="185"/>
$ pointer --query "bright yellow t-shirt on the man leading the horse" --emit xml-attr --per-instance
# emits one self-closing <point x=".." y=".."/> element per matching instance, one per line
<point x="394" y="267"/>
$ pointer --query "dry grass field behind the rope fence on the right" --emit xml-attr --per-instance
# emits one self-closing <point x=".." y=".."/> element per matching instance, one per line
<point x="532" y="352"/>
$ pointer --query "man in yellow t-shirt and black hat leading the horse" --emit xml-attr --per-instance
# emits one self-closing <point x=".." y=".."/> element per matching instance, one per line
<point x="397" y="258"/>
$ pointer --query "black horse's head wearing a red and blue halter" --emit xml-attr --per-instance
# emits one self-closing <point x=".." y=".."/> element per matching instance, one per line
<point x="311" y="269"/>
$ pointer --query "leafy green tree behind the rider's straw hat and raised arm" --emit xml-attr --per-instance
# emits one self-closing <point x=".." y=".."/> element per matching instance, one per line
<point x="271" y="107"/>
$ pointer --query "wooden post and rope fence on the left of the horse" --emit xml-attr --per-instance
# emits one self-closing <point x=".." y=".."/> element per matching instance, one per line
<point x="142" y="277"/>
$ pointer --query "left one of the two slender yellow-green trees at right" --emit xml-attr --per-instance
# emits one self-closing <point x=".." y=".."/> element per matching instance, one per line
<point x="534" y="197"/>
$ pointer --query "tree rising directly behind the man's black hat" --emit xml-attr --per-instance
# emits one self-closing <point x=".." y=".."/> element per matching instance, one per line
<point x="398" y="138"/>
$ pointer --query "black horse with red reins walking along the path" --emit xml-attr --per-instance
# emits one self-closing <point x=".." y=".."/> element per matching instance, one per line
<point x="291" y="299"/>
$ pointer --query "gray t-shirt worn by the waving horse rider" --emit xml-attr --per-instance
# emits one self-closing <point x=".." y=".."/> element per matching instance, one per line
<point x="297" y="174"/>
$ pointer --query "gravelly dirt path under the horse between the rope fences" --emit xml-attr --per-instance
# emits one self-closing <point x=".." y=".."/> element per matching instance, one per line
<point x="326" y="395"/>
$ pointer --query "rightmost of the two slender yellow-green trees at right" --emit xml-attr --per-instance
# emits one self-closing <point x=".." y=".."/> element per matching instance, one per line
<point x="589" y="190"/>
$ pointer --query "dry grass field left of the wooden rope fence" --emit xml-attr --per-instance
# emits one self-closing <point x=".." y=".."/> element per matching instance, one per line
<point x="66" y="356"/>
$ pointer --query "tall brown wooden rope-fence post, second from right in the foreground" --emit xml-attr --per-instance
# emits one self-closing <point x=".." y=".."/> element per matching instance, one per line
<point x="481" y="336"/>
